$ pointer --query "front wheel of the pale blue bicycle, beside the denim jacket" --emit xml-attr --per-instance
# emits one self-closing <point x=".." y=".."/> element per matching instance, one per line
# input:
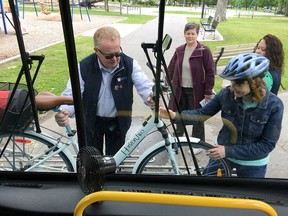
<point x="157" y="162"/>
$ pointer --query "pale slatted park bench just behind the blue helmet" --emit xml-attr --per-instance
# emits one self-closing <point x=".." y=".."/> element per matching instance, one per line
<point x="229" y="51"/>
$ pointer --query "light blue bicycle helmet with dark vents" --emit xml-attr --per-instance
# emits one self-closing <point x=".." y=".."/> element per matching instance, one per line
<point x="246" y="65"/>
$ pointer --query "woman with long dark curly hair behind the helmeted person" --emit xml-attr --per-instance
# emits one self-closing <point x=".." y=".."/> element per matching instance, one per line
<point x="271" y="47"/>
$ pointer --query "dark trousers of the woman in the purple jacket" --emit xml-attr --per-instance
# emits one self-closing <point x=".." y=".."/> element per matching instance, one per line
<point x="187" y="103"/>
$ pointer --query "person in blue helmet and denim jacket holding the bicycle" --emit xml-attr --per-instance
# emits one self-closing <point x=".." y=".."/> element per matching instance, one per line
<point x="251" y="116"/>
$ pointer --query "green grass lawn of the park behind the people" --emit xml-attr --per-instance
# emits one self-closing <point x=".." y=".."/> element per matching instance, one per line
<point x="54" y="72"/>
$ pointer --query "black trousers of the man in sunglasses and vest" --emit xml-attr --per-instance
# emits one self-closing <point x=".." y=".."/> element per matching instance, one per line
<point x="108" y="130"/>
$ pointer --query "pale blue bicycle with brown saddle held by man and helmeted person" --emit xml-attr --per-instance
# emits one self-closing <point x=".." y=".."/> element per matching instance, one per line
<point x="31" y="151"/>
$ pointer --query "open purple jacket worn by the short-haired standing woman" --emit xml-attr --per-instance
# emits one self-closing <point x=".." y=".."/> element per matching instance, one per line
<point x="202" y="71"/>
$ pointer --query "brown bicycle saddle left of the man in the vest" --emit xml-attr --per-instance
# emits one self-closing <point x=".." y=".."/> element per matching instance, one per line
<point x="47" y="100"/>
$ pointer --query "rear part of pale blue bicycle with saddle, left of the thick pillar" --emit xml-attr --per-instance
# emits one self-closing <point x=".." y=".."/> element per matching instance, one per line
<point x="32" y="151"/>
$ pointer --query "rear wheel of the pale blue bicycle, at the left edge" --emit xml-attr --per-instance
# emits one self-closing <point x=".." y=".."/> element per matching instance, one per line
<point x="22" y="150"/>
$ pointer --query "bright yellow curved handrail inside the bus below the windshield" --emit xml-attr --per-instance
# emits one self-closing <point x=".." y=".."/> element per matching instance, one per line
<point x="172" y="200"/>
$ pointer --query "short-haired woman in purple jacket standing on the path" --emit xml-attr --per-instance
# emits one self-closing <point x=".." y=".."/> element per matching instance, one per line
<point x="191" y="70"/>
